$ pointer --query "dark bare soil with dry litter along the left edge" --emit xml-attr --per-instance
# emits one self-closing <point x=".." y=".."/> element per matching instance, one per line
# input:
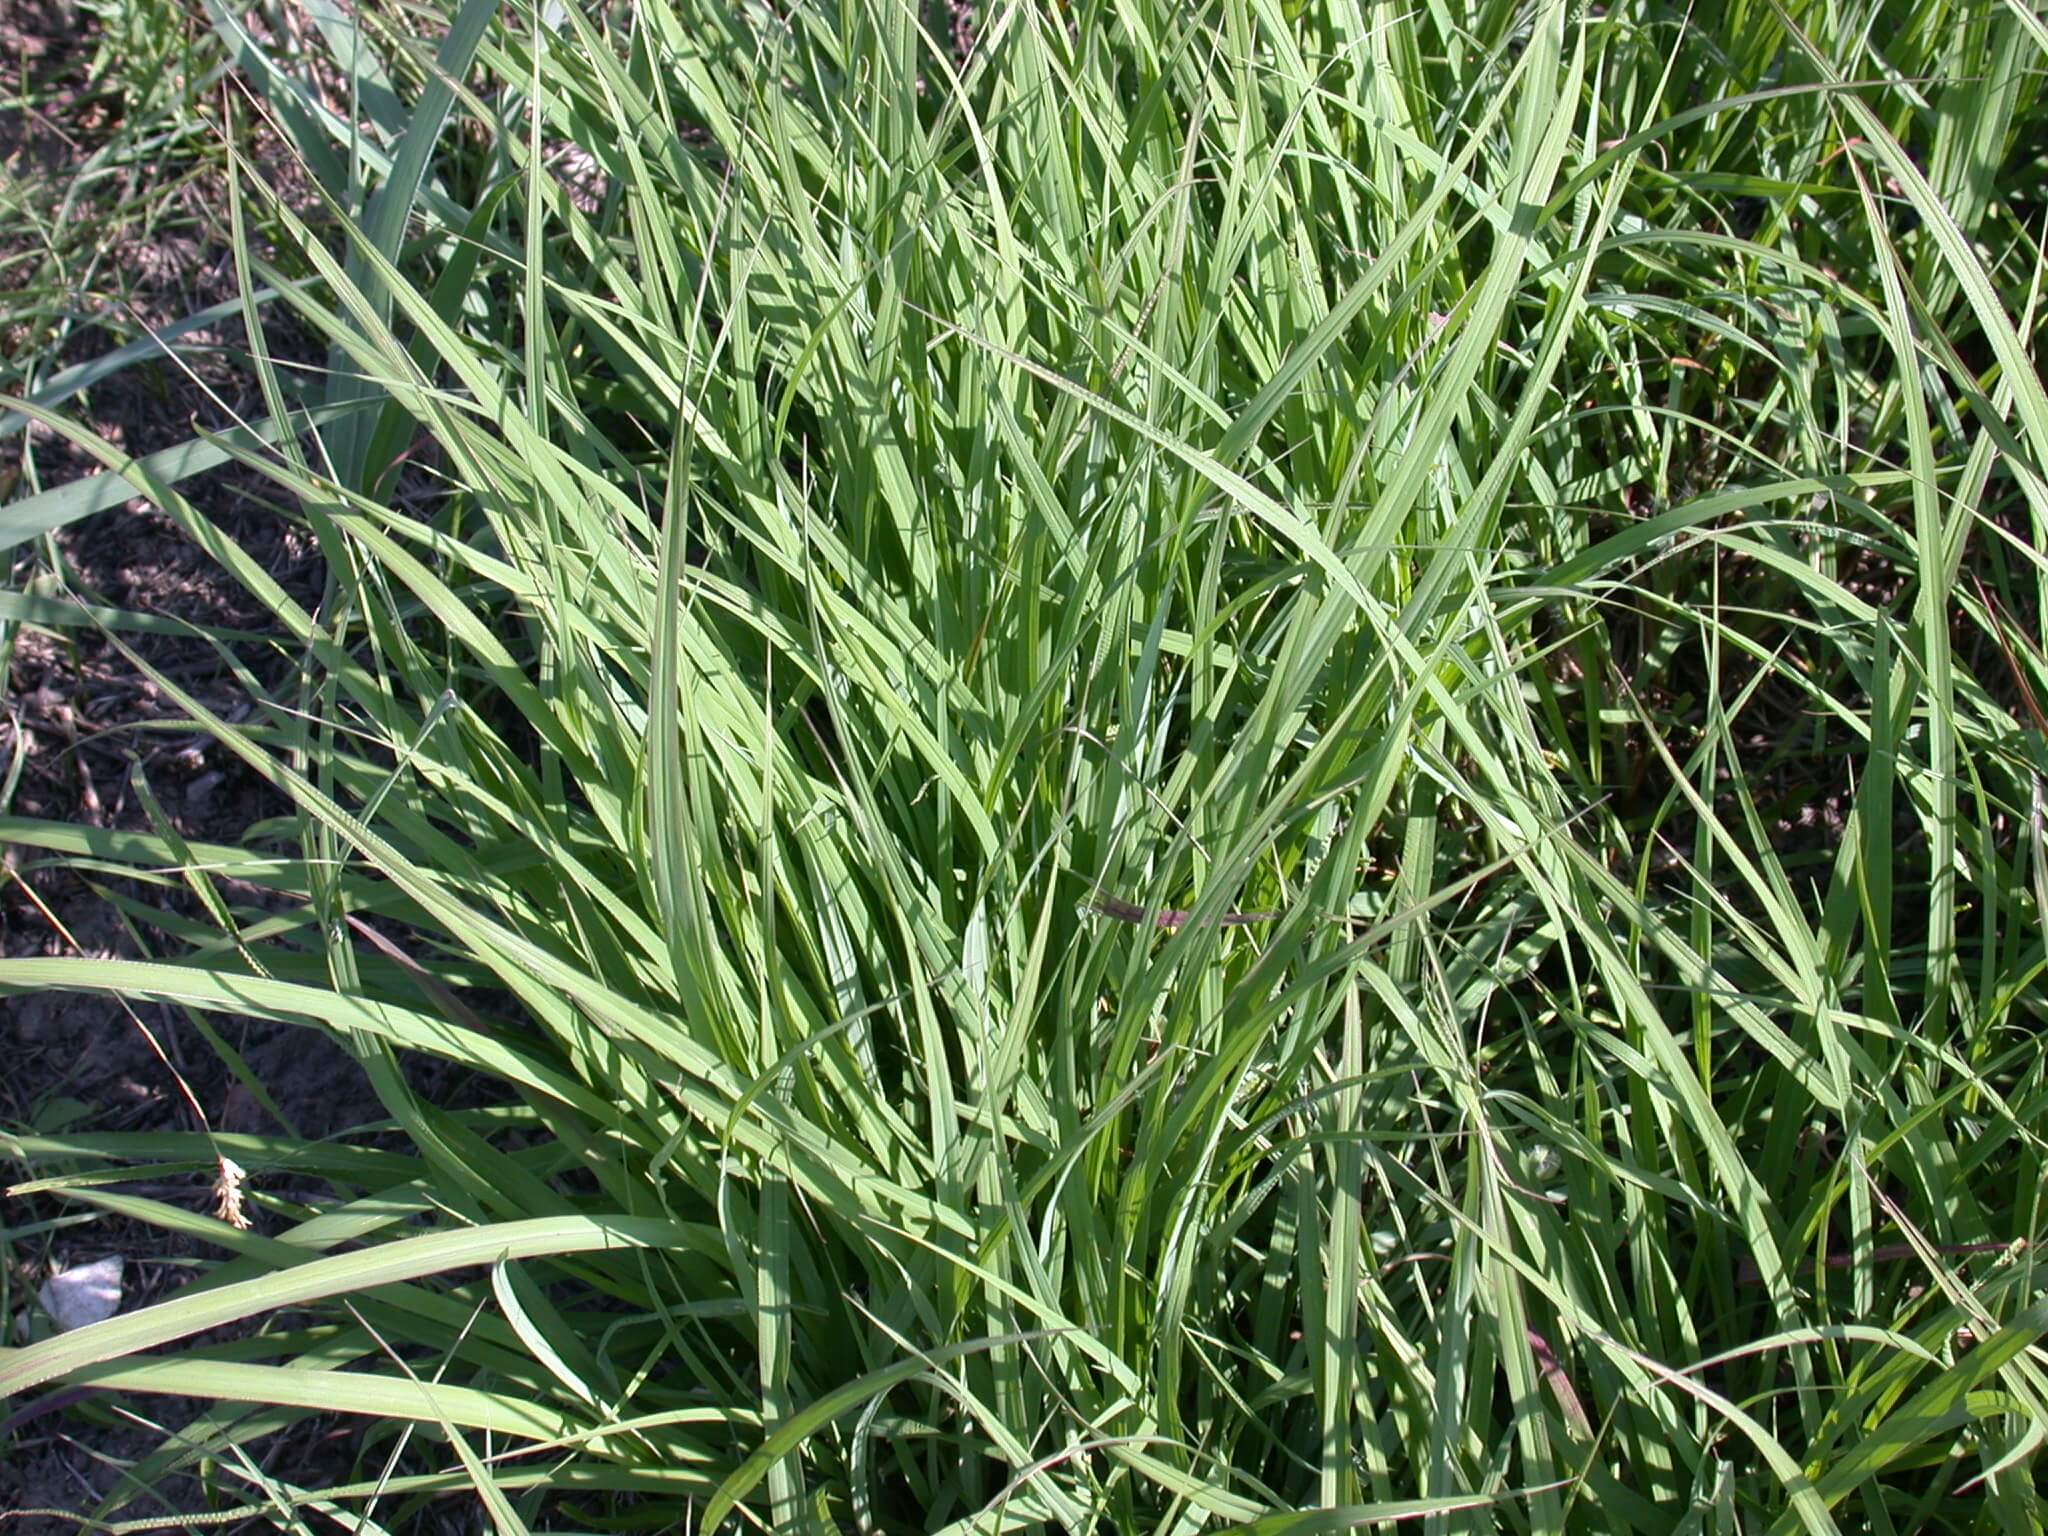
<point x="79" y="724"/>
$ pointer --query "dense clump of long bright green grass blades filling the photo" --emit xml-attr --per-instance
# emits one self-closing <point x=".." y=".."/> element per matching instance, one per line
<point x="1547" y="511"/>
